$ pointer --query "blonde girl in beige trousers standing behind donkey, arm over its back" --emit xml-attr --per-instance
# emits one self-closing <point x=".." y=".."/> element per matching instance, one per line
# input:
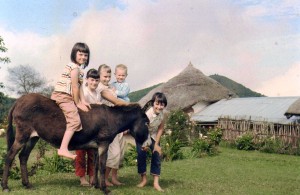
<point x="109" y="97"/>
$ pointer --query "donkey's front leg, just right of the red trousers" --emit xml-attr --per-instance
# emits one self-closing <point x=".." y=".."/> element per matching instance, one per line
<point x="102" y="150"/>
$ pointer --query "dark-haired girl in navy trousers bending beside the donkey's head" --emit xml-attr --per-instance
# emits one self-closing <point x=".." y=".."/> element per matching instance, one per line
<point x="156" y="128"/>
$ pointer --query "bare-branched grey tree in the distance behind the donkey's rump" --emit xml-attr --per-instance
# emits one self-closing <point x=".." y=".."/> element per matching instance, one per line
<point x="25" y="79"/>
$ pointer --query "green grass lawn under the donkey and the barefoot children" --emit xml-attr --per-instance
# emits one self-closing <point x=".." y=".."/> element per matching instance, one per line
<point x="230" y="172"/>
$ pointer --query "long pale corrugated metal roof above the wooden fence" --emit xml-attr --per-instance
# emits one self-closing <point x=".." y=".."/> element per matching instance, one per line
<point x="269" y="109"/>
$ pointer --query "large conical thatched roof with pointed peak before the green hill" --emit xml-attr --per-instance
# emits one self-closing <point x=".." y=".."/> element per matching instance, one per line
<point x="188" y="88"/>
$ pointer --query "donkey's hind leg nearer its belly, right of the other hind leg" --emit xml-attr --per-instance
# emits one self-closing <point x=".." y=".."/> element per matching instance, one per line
<point x="23" y="156"/>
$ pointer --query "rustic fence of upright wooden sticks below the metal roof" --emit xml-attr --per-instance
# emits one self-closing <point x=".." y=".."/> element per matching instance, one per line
<point x="287" y="133"/>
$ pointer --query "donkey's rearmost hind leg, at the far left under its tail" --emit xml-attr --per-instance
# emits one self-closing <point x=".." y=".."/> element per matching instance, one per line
<point x="15" y="148"/>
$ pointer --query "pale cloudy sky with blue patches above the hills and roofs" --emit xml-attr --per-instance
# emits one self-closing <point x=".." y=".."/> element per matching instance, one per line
<point x="255" y="43"/>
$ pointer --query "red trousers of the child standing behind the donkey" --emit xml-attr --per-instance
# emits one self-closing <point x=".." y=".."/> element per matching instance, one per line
<point x="84" y="165"/>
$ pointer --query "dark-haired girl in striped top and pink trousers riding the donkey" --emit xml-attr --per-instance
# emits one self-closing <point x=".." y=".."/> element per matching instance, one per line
<point x="67" y="95"/>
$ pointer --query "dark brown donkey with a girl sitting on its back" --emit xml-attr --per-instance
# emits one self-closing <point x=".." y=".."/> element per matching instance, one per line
<point x="37" y="116"/>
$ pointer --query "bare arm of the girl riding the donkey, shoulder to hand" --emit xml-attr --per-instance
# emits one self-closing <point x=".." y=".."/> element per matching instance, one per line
<point x="76" y="90"/>
